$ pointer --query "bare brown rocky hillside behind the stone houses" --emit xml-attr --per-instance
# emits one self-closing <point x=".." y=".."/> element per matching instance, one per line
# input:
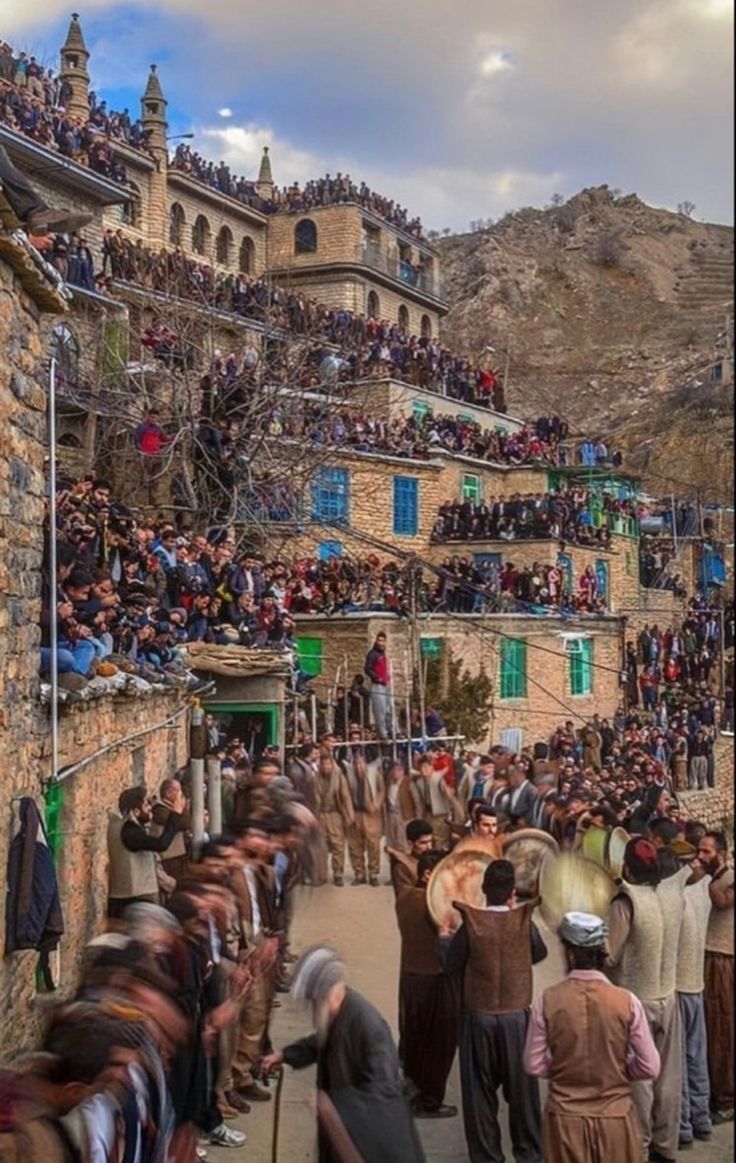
<point x="613" y="313"/>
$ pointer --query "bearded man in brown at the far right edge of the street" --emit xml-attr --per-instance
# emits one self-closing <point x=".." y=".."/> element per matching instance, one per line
<point x="719" y="975"/>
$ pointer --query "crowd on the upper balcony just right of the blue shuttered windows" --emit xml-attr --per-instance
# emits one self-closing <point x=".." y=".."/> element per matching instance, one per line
<point x="577" y="516"/>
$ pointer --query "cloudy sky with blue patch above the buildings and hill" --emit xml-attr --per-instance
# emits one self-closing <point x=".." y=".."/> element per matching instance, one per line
<point x="460" y="110"/>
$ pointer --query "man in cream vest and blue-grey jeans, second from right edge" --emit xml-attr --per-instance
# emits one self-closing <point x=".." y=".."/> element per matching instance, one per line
<point x="696" y="1109"/>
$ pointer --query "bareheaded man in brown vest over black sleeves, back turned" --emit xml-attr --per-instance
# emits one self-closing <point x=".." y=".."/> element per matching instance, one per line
<point x="495" y="950"/>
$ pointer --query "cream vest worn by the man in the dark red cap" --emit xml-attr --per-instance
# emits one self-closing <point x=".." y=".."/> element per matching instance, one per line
<point x="649" y="959"/>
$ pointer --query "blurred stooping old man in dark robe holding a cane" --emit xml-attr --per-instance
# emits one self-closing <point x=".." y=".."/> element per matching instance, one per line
<point x="361" y="1107"/>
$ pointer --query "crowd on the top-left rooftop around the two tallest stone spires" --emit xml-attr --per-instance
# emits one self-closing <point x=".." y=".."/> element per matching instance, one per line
<point x="33" y="102"/>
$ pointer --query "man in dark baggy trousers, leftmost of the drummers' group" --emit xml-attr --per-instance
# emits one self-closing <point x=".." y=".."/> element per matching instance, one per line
<point x="430" y="1001"/>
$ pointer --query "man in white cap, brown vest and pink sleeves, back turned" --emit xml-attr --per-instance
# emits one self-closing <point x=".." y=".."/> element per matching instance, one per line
<point x="591" y="1039"/>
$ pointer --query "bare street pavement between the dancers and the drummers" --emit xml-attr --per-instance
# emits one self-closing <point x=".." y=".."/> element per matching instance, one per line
<point x="360" y="924"/>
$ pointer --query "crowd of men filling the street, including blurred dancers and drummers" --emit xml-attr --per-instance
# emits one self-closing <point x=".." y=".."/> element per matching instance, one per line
<point x="167" y="1040"/>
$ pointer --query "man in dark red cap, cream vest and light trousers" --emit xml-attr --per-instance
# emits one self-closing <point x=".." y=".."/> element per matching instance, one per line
<point x="646" y="922"/>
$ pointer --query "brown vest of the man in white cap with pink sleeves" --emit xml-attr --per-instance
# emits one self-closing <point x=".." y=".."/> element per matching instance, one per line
<point x="588" y="1033"/>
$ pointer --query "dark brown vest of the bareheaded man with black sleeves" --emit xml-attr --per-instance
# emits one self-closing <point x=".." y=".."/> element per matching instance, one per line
<point x="498" y="974"/>
